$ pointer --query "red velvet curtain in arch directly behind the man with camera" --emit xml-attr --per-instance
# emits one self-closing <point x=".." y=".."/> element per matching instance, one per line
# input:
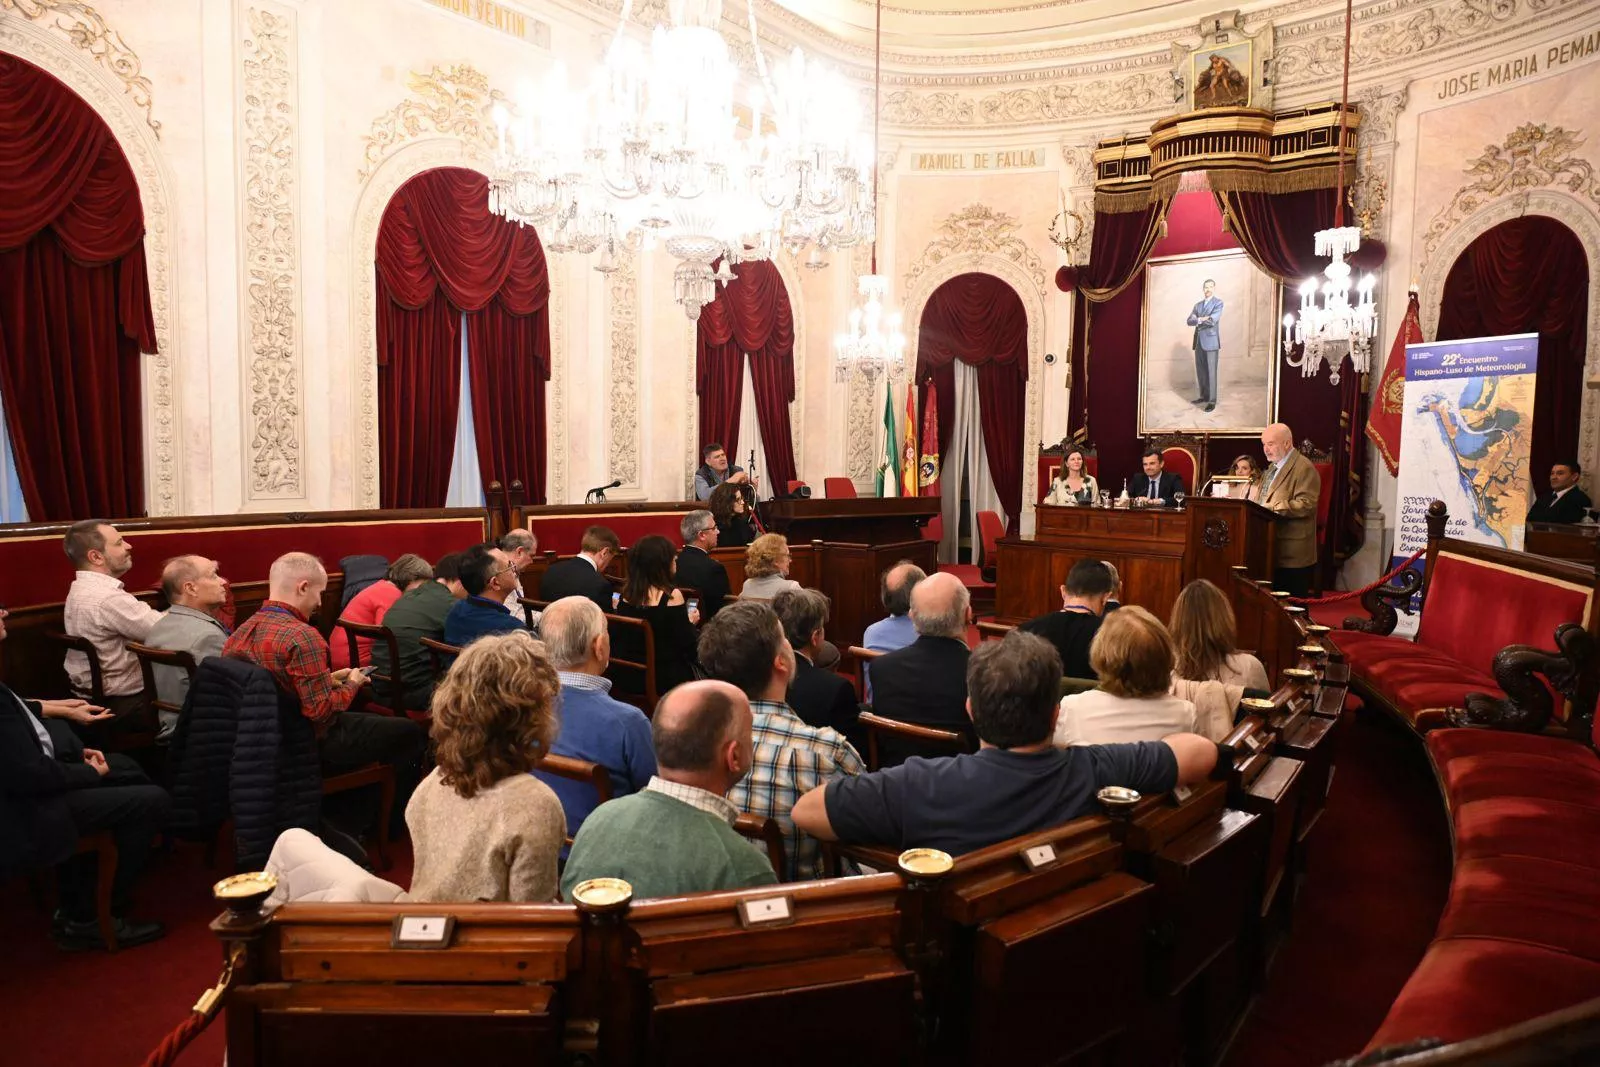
<point x="750" y="316"/>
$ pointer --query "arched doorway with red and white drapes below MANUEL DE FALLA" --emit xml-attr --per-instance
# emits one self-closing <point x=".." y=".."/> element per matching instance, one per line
<point x="972" y="364"/>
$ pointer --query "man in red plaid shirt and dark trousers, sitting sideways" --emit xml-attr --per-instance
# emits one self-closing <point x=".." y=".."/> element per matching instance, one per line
<point x="282" y="639"/>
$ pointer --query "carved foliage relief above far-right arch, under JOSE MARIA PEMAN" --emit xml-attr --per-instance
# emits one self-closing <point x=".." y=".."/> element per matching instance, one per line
<point x="1535" y="156"/>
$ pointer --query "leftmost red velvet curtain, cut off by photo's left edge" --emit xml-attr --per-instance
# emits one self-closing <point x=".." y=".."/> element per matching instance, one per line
<point x="74" y="303"/>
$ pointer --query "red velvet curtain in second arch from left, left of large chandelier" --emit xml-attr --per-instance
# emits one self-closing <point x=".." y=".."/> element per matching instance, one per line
<point x="439" y="252"/>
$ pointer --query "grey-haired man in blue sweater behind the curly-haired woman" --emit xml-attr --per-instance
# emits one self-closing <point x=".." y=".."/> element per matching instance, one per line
<point x="594" y="727"/>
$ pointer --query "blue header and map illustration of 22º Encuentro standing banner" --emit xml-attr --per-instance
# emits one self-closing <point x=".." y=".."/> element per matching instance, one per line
<point x="1466" y="439"/>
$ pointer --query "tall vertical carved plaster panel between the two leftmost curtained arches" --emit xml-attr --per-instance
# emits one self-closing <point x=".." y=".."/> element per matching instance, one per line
<point x="270" y="161"/>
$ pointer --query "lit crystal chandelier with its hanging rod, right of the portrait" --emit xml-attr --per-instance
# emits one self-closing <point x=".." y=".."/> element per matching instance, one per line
<point x="1335" y="329"/>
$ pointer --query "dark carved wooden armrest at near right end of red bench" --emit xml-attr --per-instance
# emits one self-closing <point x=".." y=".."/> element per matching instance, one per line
<point x="1572" y="671"/>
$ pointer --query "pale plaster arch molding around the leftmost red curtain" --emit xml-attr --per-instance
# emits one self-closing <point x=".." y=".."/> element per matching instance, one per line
<point x="140" y="143"/>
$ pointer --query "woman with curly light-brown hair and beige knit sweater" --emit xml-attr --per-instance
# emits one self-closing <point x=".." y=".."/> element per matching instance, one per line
<point x="482" y="826"/>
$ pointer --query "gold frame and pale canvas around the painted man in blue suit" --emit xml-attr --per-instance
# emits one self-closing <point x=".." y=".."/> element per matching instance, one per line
<point x="1247" y="394"/>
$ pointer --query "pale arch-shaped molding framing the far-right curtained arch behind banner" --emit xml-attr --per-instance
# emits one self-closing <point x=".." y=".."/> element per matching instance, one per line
<point x="1577" y="214"/>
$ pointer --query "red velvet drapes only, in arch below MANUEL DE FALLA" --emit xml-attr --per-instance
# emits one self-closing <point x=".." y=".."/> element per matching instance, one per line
<point x="980" y="321"/>
